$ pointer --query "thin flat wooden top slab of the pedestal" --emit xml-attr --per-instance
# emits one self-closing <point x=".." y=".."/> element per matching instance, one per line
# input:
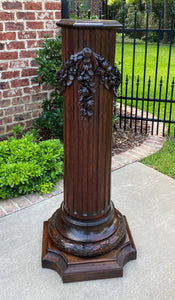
<point x="83" y="23"/>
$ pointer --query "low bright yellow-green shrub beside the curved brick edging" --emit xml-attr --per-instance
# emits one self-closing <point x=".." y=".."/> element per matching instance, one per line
<point x="27" y="166"/>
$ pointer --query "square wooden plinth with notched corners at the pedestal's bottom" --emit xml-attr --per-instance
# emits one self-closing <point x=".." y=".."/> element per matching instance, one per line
<point x="73" y="268"/>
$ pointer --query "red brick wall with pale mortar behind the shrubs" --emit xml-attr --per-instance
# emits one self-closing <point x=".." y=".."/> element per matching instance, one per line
<point x="22" y="27"/>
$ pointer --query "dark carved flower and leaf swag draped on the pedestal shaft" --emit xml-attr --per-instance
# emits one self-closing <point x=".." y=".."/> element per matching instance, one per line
<point x="83" y="66"/>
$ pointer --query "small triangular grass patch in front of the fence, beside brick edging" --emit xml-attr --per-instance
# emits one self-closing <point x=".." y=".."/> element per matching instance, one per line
<point x="163" y="160"/>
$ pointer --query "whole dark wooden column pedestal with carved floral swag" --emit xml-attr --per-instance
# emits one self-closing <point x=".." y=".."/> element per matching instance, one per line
<point x="87" y="238"/>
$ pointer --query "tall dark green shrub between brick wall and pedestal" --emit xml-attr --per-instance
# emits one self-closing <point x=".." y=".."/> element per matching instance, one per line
<point x="49" y="61"/>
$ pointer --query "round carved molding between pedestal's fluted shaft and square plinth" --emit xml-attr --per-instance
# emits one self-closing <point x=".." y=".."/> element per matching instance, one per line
<point x="87" y="238"/>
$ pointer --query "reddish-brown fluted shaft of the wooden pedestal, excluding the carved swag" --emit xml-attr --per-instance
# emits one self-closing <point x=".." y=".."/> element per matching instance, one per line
<point x="90" y="162"/>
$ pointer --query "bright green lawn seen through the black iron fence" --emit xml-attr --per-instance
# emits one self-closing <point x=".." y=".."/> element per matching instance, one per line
<point x="150" y="71"/>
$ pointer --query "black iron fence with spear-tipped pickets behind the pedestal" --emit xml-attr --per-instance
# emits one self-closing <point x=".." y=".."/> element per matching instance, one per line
<point x="146" y="96"/>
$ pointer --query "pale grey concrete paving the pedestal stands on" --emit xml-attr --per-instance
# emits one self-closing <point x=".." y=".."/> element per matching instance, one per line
<point x="146" y="197"/>
